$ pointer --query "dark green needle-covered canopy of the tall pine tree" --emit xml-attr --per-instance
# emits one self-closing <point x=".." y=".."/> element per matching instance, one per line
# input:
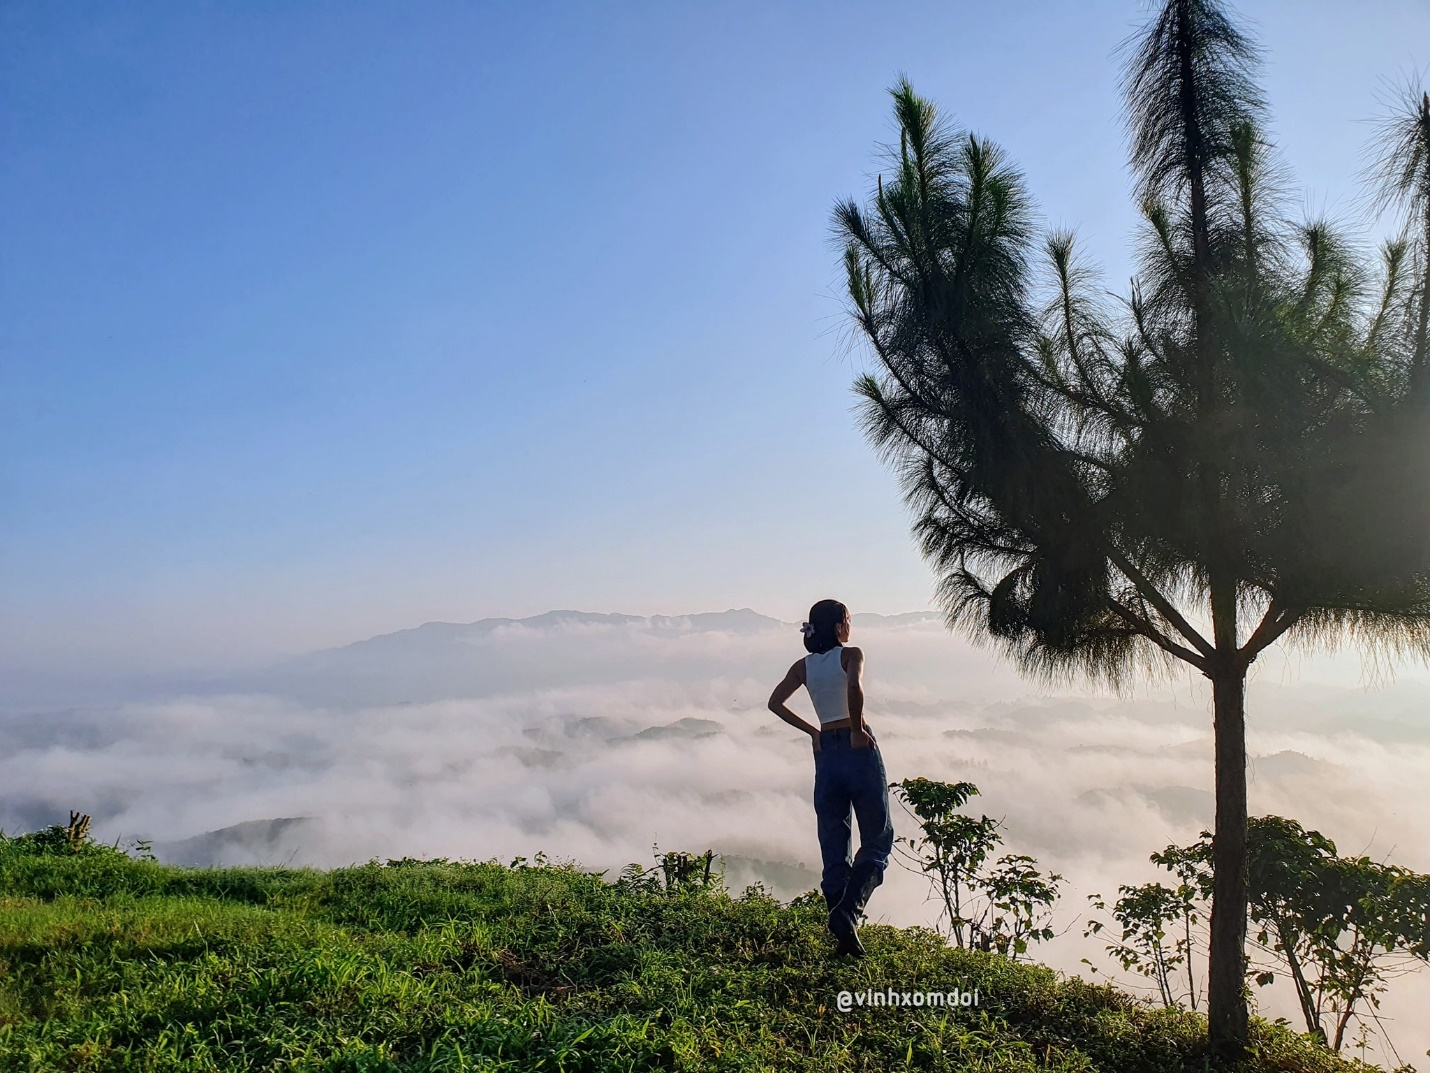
<point x="1056" y="444"/>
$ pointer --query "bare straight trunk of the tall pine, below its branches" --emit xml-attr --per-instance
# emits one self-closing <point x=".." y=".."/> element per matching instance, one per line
<point x="1226" y="994"/>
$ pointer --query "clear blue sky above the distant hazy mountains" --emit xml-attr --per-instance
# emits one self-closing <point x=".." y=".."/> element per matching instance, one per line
<point x="320" y="321"/>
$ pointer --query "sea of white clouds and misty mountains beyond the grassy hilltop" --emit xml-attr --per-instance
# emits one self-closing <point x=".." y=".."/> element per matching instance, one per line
<point x="594" y="738"/>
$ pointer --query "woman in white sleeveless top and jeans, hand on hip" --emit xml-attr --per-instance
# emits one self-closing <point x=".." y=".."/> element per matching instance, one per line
<point x="849" y="769"/>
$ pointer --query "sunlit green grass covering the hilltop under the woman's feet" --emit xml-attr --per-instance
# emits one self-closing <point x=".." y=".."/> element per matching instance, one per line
<point x="111" y="964"/>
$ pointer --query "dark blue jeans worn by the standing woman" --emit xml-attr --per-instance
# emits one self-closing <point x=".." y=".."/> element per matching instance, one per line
<point x="844" y="779"/>
